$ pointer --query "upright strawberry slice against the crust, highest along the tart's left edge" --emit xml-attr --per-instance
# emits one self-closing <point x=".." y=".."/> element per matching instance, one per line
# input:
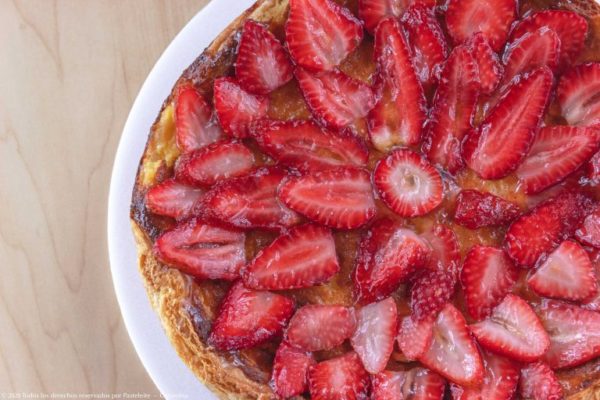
<point x="194" y="125"/>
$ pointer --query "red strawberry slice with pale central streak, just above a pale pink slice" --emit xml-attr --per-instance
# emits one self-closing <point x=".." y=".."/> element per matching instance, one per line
<point x="487" y="276"/>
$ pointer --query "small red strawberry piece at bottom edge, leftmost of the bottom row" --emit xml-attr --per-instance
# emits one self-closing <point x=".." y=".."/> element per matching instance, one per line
<point x="290" y="371"/>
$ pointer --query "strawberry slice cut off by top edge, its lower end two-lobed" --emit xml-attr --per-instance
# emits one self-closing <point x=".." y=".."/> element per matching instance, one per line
<point x="492" y="18"/>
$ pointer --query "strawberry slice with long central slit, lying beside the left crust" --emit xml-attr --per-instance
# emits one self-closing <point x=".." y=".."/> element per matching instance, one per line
<point x="202" y="250"/>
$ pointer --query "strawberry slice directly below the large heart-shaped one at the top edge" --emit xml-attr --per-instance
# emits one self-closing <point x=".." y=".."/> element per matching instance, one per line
<point x="334" y="98"/>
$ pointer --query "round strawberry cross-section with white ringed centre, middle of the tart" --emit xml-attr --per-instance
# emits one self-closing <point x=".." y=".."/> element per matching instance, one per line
<point x="408" y="184"/>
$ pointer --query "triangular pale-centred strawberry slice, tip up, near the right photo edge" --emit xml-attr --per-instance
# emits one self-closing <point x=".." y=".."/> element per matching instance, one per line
<point x="567" y="274"/>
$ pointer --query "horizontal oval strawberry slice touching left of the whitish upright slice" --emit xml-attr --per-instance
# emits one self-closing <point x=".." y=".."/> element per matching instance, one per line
<point x="321" y="327"/>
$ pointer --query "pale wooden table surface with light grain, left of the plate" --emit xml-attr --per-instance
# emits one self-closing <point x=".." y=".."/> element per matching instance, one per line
<point x="70" y="70"/>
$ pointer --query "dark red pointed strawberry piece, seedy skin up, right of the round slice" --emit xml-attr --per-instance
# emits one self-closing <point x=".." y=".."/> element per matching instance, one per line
<point x="476" y="209"/>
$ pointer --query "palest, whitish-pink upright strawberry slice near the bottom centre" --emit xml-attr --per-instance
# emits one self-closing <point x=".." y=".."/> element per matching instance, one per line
<point x="375" y="333"/>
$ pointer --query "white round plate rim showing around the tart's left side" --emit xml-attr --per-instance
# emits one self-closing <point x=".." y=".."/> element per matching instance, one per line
<point x="167" y="370"/>
